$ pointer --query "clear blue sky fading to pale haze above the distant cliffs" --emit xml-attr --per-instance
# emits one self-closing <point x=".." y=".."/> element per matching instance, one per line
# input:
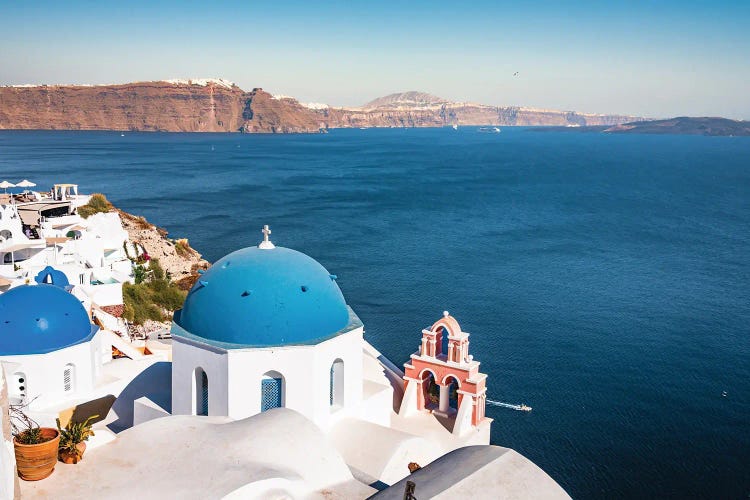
<point x="656" y="58"/>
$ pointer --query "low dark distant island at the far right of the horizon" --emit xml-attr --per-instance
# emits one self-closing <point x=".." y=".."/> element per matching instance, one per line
<point x="683" y="125"/>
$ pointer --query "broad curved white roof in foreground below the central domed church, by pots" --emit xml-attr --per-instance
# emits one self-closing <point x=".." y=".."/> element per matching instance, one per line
<point x="278" y="452"/>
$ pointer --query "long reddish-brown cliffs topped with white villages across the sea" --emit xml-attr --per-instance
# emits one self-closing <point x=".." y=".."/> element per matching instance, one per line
<point x="217" y="105"/>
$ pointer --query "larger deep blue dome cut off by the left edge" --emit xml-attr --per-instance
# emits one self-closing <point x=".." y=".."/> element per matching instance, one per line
<point x="40" y="319"/>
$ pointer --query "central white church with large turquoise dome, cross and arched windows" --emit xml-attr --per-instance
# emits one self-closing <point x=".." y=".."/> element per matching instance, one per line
<point x="267" y="327"/>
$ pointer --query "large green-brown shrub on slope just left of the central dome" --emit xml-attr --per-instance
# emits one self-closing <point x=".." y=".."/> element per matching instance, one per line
<point x="151" y="296"/>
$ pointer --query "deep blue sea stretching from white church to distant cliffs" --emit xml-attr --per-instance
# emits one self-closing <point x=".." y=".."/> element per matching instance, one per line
<point x="604" y="279"/>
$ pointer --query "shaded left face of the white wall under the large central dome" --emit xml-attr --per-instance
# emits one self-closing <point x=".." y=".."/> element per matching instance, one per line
<point x="185" y="359"/>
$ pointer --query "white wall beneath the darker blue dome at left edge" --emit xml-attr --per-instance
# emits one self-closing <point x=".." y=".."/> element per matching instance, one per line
<point x="43" y="373"/>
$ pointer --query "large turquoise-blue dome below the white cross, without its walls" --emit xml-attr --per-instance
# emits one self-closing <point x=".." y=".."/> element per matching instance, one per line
<point x="265" y="297"/>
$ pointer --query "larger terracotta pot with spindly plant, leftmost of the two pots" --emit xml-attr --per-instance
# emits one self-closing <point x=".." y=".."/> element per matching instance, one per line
<point x="35" y="447"/>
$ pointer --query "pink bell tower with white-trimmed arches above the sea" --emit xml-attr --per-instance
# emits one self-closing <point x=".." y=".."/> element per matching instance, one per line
<point x="454" y="373"/>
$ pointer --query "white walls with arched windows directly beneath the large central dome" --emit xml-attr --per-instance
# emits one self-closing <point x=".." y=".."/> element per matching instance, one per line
<point x="234" y="377"/>
